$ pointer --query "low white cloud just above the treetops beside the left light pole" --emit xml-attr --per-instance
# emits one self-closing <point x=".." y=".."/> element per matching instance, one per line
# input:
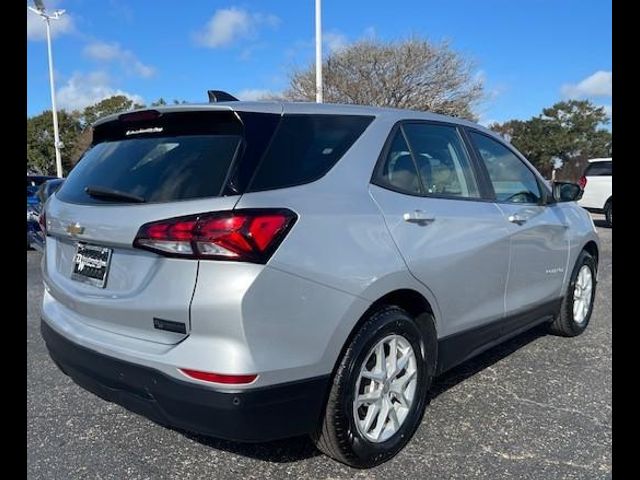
<point x="82" y="90"/>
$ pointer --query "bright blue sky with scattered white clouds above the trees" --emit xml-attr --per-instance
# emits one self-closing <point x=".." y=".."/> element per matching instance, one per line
<point x="530" y="53"/>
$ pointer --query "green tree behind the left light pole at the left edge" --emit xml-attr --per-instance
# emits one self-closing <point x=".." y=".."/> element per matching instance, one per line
<point x="41" y="155"/>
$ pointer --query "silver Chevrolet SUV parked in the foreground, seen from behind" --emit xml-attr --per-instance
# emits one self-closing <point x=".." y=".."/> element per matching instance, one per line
<point x="254" y="271"/>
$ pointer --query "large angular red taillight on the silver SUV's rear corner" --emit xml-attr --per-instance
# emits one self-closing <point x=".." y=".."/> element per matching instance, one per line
<point x="240" y="235"/>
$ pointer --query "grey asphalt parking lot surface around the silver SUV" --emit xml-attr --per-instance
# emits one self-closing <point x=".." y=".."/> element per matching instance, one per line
<point x="536" y="407"/>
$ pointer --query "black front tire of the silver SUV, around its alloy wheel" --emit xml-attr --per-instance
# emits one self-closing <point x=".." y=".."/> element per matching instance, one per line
<point x="564" y="324"/>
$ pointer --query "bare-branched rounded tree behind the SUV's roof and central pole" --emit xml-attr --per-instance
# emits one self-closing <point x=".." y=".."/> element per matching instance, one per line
<point x="412" y="73"/>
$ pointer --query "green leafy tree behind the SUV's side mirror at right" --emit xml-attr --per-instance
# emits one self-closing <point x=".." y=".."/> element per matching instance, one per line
<point x="569" y="132"/>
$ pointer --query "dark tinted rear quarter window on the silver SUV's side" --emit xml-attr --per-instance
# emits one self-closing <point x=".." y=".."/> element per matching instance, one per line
<point x="305" y="147"/>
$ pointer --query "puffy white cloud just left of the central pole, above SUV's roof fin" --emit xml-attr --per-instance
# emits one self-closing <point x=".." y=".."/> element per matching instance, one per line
<point x="229" y="25"/>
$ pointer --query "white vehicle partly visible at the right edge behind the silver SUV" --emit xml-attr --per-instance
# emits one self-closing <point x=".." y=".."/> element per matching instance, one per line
<point x="596" y="183"/>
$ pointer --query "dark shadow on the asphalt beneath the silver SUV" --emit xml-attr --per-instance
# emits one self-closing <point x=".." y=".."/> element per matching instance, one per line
<point x="301" y="448"/>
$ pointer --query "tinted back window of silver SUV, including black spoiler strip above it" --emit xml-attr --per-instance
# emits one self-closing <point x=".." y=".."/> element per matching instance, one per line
<point x="177" y="156"/>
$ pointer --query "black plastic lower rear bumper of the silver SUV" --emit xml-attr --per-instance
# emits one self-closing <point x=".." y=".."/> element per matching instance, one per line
<point x="250" y="415"/>
